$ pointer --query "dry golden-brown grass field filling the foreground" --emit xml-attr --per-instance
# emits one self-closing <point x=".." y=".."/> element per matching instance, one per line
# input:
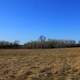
<point x="45" y="64"/>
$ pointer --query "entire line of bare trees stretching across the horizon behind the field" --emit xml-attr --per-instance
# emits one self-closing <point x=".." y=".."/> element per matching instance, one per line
<point x="41" y="43"/>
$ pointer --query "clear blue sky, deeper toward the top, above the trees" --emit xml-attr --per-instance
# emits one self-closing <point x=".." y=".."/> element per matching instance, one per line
<point x="26" y="20"/>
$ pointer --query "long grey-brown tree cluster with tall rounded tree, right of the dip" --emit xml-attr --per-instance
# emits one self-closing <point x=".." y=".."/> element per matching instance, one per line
<point x="51" y="43"/>
